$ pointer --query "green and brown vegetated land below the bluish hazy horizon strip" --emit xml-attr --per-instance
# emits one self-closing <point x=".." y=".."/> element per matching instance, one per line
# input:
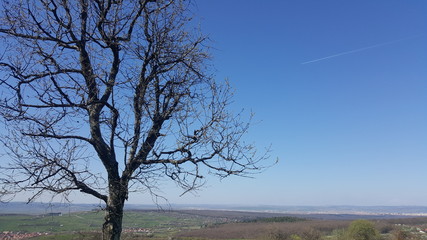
<point x="206" y="225"/>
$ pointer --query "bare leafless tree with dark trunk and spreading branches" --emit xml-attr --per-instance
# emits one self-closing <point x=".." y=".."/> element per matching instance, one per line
<point x="124" y="83"/>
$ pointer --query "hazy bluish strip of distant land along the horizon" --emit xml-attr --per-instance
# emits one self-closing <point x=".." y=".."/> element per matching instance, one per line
<point x="42" y="208"/>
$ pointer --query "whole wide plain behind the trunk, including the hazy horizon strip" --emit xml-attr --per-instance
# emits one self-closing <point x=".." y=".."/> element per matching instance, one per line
<point x="84" y="221"/>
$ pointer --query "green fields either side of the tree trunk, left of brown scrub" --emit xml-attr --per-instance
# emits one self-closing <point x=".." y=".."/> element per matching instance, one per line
<point x="160" y="224"/>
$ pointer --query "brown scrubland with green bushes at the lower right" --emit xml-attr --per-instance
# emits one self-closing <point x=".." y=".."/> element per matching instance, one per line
<point x="267" y="229"/>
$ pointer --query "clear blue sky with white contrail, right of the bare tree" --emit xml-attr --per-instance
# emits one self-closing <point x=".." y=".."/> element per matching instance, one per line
<point x="340" y="90"/>
